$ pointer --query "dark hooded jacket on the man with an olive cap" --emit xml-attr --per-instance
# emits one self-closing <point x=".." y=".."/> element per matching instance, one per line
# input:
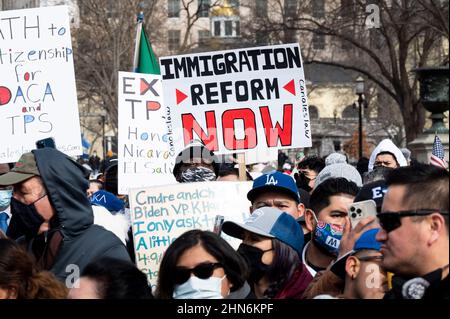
<point x="82" y="241"/>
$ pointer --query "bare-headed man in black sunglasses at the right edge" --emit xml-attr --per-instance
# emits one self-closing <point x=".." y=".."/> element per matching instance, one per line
<point x="414" y="236"/>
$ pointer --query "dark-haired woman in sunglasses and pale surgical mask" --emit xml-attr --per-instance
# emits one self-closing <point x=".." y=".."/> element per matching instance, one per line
<point x="201" y="265"/>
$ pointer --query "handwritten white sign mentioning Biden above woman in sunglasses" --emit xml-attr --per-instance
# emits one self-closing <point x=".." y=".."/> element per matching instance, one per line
<point x="161" y="214"/>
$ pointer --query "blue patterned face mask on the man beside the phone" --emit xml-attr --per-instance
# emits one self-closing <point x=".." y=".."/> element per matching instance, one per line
<point x="328" y="236"/>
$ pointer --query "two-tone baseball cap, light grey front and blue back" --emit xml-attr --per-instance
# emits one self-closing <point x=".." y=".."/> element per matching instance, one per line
<point x="269" y="222"/>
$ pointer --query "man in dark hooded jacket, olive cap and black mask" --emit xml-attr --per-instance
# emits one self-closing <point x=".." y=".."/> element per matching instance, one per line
<point x="52" y="215"/>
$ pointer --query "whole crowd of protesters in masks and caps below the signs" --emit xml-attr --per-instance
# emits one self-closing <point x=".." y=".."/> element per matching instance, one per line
<point x="300" y="241"/>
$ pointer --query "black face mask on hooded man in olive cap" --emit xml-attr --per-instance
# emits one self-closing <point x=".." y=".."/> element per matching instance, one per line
<point x="27" y="219"/>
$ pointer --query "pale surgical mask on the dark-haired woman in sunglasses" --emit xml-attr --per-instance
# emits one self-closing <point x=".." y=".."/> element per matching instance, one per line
<point x="196" y="288"/>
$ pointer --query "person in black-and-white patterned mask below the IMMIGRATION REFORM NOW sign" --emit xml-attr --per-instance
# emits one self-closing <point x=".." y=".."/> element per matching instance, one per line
<point x="196" y="163"/>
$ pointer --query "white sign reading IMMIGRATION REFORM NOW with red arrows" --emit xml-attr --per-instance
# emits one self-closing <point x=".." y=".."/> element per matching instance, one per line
<point x="245" y="99"/>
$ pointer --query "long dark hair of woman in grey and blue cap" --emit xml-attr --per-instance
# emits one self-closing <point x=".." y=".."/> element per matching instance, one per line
<point x="285" y="262"/>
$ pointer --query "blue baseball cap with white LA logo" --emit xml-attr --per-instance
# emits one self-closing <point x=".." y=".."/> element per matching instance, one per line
<point x="274" y="181"/>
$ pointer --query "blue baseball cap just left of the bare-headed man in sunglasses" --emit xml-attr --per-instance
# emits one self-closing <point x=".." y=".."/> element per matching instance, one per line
<point x="365" y="241"/>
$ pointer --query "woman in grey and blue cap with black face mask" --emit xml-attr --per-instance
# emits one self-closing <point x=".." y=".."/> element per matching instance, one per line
<point x="272" y="243"/>
